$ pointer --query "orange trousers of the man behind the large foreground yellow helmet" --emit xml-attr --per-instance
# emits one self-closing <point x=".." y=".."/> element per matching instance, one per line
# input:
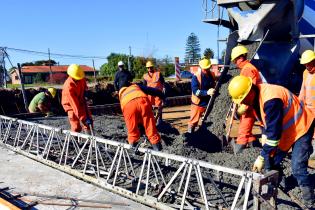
<point x="245" y="128"/>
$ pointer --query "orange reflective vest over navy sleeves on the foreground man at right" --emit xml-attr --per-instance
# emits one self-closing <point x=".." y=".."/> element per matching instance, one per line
<point x="296" y="118"/>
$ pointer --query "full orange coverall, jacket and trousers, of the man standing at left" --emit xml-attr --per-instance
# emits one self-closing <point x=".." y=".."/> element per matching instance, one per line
<point x="74" y="103"/>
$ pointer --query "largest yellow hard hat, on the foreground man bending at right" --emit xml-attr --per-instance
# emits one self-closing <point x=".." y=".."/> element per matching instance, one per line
<point x="239" y="87"/>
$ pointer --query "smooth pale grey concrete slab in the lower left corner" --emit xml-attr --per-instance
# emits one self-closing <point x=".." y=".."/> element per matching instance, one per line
<point x="23" y="175"/>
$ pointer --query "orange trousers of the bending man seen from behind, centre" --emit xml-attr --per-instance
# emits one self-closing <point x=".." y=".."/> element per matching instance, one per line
<point x="139" y="111"/>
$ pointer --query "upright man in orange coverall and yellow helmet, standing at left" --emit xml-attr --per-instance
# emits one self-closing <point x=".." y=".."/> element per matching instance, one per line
<point x="73" y="100"/>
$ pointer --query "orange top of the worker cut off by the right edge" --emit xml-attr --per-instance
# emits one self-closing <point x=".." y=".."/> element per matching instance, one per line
<point x="307" y="92"/>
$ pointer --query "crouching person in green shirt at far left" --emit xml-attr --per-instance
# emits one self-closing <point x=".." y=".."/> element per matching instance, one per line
<point x="42" y="102"/>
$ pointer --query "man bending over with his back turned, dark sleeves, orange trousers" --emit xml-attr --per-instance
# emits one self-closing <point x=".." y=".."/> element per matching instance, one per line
<point x="137" y="111"/>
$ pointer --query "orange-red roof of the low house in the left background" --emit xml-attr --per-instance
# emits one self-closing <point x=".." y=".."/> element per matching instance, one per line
<point x="46" y="69"/>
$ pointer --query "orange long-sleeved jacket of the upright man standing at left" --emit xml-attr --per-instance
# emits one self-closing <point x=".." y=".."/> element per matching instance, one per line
<point x="73" y="97"/>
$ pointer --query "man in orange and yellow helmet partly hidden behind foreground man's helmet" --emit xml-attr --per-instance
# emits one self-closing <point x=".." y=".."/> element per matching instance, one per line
<point x="247" y="118"/>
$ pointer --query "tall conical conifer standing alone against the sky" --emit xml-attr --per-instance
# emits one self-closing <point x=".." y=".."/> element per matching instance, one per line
<point x="192" y="52"/>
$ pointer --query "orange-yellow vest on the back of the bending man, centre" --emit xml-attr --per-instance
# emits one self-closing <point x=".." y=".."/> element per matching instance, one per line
<point x="127" y="94"/>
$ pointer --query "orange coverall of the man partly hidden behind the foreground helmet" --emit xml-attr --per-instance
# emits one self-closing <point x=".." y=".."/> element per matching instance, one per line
<point x="248" y="119"/>
